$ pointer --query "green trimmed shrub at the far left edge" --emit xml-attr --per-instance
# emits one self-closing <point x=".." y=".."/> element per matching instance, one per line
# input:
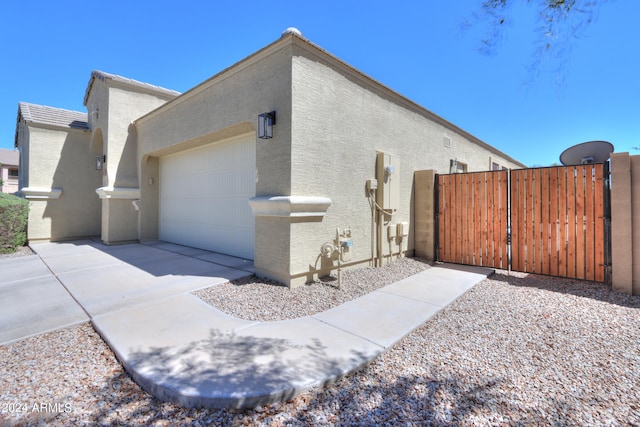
<point x="14" y="212"/>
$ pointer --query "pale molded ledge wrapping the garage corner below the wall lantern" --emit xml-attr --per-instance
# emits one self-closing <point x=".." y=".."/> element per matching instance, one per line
<point x="290" y="206"/>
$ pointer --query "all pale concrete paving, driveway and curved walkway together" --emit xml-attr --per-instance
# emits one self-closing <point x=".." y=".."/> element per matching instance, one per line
<point x="181" y="349"/>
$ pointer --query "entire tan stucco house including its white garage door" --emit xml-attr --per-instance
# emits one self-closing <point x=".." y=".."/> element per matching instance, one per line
<point x="191" y="168"/>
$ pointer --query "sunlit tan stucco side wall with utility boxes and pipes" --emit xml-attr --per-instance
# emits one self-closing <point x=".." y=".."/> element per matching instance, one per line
<point x="341" y="120"/>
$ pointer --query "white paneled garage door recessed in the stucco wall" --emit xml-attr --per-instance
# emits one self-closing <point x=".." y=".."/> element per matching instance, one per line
<point x="204" y="197"/>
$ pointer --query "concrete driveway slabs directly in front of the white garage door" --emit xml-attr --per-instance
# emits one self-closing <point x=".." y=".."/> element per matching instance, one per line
<point x="70" y="283"/>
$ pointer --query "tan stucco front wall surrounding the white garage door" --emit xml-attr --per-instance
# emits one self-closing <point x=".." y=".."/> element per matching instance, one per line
<point x="228" y="105"/>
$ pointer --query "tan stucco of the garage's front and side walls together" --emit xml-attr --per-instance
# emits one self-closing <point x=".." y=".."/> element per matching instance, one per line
<point x="331" y="123"/>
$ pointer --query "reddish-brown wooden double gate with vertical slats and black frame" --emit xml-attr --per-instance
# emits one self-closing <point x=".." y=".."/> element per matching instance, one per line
<point x="547" y="220"/>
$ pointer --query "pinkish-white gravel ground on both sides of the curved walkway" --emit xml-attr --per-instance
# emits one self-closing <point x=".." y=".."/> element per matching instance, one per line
<point x="515" y="350"/>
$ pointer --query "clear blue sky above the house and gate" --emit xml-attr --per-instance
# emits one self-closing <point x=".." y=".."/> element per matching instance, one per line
<point x="418" y="49"/>
